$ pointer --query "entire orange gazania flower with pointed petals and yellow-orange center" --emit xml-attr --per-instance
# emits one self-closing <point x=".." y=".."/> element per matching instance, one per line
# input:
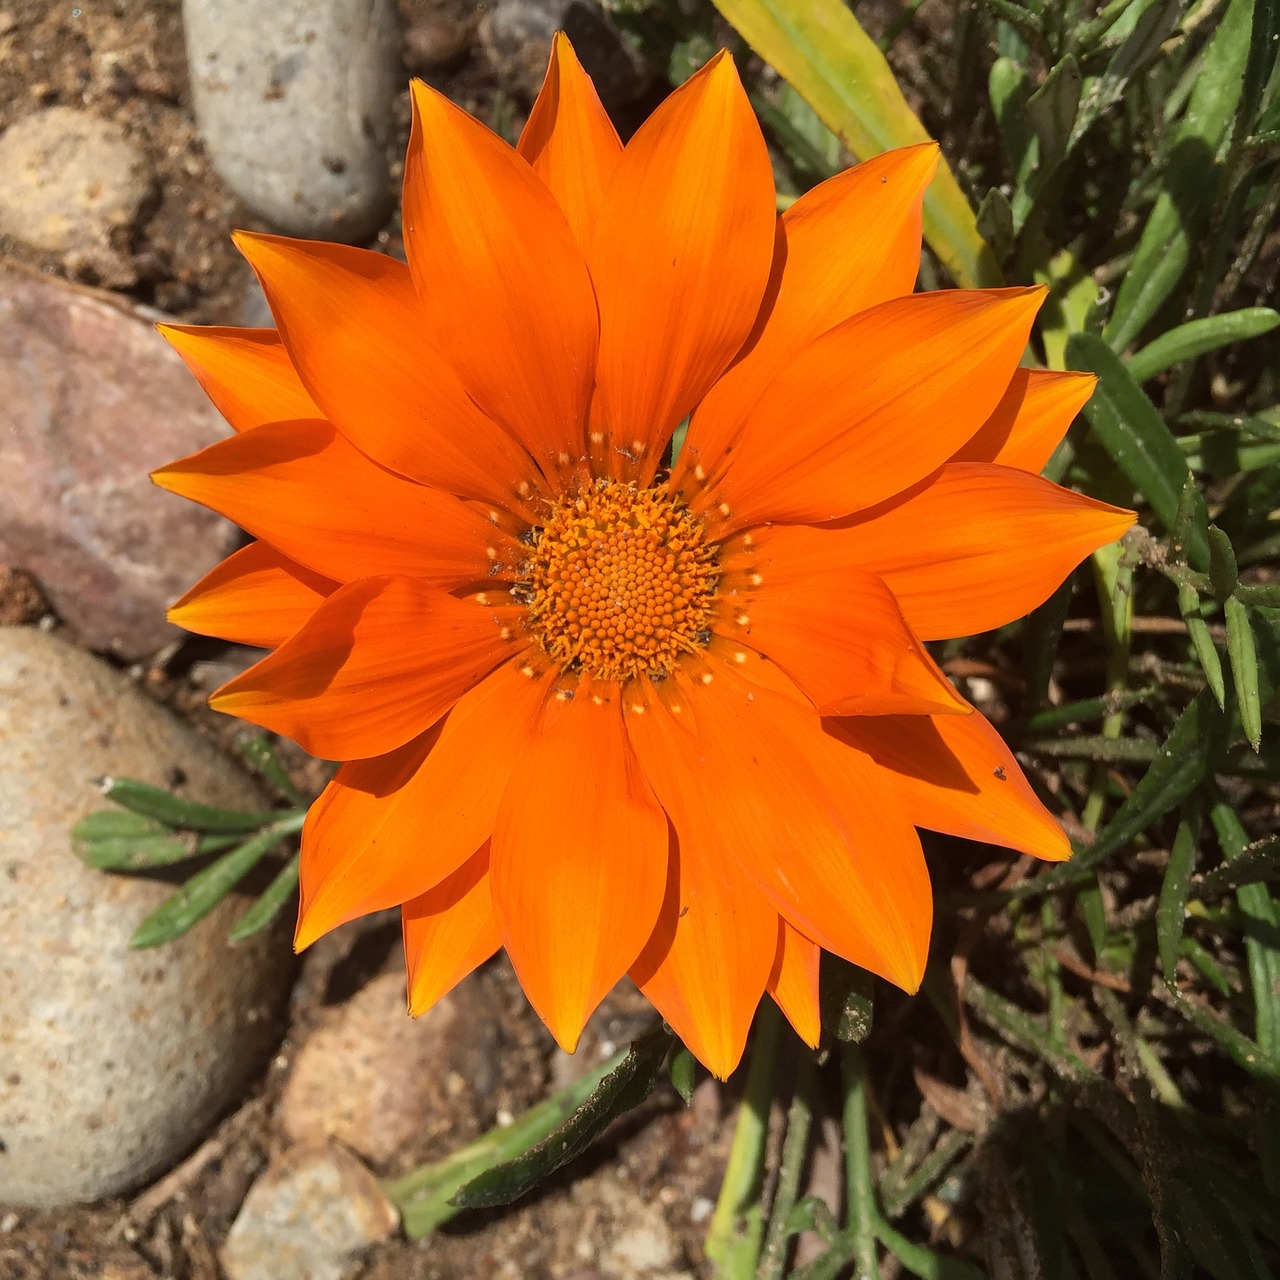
<point x="616" y="714"/>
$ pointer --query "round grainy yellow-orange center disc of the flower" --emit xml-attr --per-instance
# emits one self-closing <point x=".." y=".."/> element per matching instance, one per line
<point x="620" y="582"/>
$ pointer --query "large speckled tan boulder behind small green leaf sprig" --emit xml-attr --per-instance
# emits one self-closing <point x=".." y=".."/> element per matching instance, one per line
<point x="113" y="1063"/>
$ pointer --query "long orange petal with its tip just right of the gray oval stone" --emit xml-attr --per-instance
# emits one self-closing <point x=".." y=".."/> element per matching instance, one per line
<point x="511" y="301"/>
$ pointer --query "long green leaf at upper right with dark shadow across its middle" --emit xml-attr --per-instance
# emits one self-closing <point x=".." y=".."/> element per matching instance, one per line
<point x="1190" y="182"/>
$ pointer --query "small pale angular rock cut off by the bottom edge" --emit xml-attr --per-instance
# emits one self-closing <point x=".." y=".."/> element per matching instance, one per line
<point x="309" y="1218"/>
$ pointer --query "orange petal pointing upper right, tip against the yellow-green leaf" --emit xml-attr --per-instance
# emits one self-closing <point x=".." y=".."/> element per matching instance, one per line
<point x="848" y="245"/>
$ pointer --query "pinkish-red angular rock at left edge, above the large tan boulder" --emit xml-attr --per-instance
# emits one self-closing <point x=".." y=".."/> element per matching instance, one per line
<point x="92" y="400"/>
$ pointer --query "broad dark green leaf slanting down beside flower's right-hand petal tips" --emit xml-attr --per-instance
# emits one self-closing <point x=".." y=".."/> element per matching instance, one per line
<point x="1136" y="437"/>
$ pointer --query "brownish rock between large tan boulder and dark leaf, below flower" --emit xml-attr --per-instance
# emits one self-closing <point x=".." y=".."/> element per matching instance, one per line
<point x="371" y="1075"/>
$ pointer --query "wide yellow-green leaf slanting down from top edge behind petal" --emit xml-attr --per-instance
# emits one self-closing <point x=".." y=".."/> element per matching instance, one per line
<point x="822" y="51"/>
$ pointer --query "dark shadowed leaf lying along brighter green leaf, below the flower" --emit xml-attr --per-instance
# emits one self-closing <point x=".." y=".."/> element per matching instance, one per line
<point x="627" y="1087"/>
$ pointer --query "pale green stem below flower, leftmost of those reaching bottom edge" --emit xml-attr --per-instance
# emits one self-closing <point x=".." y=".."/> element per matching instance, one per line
<point x="734" y="1238"/>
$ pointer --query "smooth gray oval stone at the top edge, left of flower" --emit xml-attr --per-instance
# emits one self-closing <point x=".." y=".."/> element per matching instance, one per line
<point x="295" y="103"/>
